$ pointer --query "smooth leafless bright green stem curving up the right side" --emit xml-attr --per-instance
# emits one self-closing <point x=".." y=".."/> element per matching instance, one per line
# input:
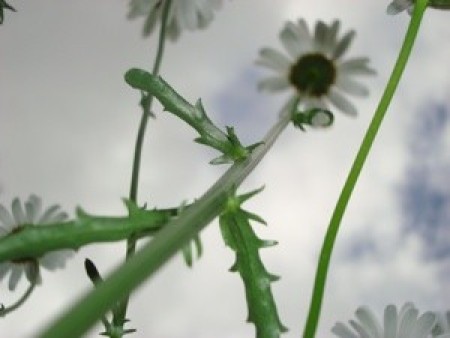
<point x="330" y="237"/>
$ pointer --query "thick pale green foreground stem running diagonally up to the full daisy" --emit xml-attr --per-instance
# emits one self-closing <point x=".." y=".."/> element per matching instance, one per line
<point x="164" y="245"/>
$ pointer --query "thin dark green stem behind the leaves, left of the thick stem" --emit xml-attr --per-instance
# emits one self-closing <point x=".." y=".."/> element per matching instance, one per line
<point x="146" y="103"/>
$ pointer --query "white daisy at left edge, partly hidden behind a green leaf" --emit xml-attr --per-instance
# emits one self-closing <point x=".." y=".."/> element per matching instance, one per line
<point x="30" y="214"/>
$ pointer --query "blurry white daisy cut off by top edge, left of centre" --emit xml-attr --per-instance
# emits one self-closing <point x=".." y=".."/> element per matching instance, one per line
<point x="183" y="14"/>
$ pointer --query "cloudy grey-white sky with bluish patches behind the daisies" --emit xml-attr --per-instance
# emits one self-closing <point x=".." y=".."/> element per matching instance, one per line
<point x="67" y="129"/>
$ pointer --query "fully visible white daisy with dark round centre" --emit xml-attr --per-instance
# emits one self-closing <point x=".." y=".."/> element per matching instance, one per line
<point x="314" y="68"/>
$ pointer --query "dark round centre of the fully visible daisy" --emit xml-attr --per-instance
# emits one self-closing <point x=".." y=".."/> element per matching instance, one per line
<point x="313" y="74"/>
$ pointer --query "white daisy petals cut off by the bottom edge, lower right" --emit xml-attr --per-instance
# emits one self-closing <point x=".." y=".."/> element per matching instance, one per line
<point x="405" y="323"/>
